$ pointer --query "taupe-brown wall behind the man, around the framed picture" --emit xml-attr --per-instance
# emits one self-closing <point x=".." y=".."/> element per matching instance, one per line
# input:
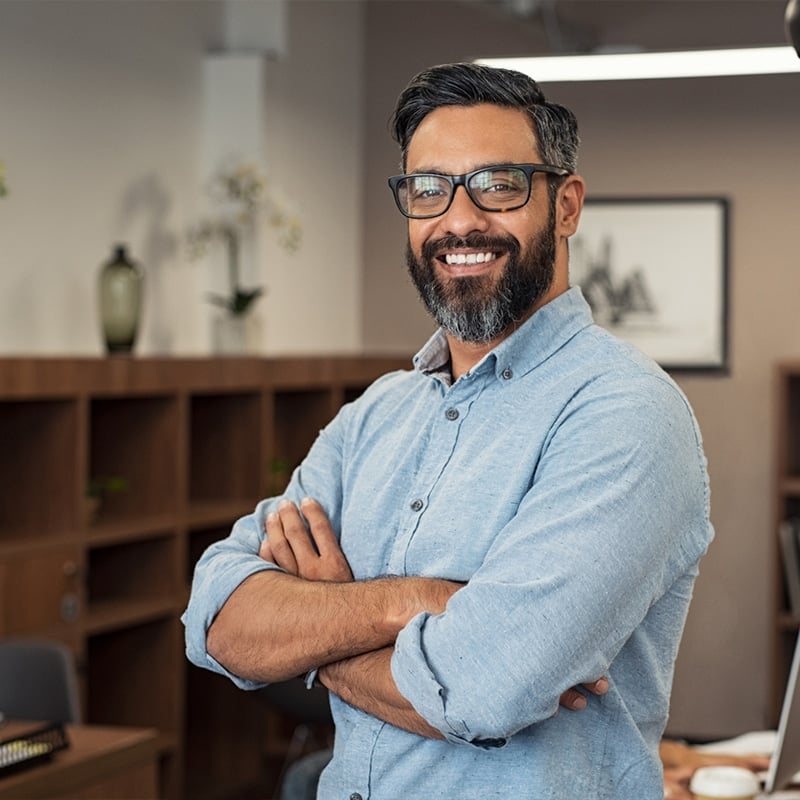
<point x="735" y="138"/>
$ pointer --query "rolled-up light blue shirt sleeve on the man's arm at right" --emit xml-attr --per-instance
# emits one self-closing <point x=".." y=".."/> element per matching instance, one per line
<point x="615" y="519"/>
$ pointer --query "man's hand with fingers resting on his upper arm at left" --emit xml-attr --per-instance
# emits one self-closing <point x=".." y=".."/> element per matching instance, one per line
<point x="308" y="551"/>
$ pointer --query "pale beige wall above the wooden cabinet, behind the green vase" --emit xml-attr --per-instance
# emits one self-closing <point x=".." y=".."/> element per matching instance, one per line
<point x="100" y="130"/>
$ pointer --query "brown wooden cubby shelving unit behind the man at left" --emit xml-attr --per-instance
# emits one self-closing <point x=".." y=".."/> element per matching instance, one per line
<point x="181" y="448"/>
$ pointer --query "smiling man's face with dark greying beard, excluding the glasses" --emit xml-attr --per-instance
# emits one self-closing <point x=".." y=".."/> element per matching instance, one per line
<point x="478" y="272"/>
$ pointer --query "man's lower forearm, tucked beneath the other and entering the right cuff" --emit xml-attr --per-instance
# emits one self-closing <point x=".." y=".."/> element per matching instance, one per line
<point x="365" y="681"/>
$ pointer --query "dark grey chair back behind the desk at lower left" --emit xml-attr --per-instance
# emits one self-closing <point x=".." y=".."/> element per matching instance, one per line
<point x="38" y="681"/>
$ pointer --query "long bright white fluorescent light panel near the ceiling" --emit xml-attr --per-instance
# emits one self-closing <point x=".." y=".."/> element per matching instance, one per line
<point x="633" y="66"/>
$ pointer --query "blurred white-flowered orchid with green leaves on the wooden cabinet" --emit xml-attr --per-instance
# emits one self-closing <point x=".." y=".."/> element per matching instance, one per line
<point x="241" y="196"/>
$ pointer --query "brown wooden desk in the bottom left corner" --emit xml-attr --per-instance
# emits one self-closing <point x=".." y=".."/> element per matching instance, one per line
<point x="101" y="763"/>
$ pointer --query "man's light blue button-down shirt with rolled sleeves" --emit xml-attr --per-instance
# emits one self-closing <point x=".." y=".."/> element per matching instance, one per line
<point x="564" y="479"/>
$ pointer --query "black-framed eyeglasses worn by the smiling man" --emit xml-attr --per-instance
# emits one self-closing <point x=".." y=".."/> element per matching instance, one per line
<point x="423" y="195"/>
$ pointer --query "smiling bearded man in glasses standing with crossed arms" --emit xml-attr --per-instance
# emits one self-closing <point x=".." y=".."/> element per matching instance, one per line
<point x="521" y="513"/>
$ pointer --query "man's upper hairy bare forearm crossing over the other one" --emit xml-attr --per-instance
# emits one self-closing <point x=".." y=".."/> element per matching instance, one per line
<point x="276" y="626"/>
